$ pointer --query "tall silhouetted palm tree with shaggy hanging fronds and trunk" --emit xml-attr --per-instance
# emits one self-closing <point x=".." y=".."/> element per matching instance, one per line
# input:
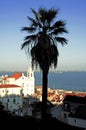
<point x="41" y="43"/>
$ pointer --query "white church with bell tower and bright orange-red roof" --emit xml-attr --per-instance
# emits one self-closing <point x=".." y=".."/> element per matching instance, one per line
<point x="27" y="83"/>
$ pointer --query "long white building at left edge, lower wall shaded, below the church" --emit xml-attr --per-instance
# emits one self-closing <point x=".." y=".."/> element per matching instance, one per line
<point x="10" y="97"/>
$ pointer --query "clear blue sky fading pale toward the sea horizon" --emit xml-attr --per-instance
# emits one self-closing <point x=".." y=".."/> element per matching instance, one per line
<point x="13" y="16"/>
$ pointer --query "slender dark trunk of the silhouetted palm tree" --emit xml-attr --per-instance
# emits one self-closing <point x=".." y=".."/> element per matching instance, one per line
<point x="44" y="93"/>
